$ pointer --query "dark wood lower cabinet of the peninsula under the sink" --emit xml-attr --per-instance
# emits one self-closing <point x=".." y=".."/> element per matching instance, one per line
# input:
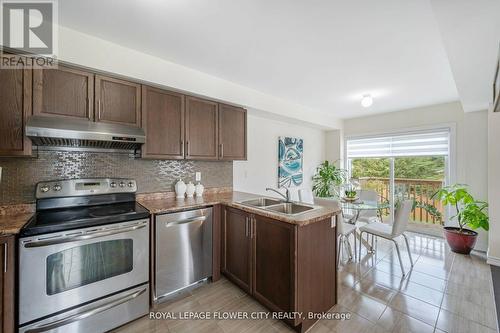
<point x="286" y="267"/>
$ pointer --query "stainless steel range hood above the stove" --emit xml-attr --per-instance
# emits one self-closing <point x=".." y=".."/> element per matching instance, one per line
<point x="81" y="133"/>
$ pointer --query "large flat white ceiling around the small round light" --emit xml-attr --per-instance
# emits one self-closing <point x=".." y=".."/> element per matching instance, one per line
<point x="324" y="54"/>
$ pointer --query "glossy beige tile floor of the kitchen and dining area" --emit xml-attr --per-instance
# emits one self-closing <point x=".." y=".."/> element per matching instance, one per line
<point x="445" y="292"/>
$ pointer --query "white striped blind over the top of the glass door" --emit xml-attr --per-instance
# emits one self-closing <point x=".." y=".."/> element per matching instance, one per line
<point x="435" y="143"/>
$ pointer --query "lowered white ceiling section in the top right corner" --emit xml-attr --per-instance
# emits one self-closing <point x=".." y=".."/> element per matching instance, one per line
<point x="471" y="35"/>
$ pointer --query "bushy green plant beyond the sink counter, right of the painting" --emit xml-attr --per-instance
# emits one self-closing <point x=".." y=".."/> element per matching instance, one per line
<point x="328" y="179"/>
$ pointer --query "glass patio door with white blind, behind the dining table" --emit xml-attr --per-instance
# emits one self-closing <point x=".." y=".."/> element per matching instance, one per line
<point x="401" y="166"/>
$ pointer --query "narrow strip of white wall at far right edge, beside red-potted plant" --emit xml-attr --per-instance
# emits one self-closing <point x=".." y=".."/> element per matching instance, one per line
<point x="494" y="187"/>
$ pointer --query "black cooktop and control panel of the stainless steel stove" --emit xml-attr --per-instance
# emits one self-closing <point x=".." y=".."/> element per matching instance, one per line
<point x="81" y="203"/>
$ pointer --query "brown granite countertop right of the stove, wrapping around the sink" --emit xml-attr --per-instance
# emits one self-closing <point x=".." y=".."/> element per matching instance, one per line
<point x="168" y="204"/>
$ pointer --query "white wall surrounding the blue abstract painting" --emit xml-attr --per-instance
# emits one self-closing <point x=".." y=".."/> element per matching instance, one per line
<point x="261" y="168"/>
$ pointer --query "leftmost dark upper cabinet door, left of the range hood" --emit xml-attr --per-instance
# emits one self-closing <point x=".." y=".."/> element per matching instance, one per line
<point x="15" y="108"/>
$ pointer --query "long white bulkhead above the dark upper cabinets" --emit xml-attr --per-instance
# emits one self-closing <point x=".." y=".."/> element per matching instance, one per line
<point x="85" y="50"/>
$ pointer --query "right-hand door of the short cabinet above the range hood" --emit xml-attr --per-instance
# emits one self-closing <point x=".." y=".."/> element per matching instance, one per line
<point x="117" y="101"/>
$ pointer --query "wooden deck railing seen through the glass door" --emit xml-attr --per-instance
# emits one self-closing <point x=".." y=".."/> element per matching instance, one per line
<point x="420" y="190"/>
